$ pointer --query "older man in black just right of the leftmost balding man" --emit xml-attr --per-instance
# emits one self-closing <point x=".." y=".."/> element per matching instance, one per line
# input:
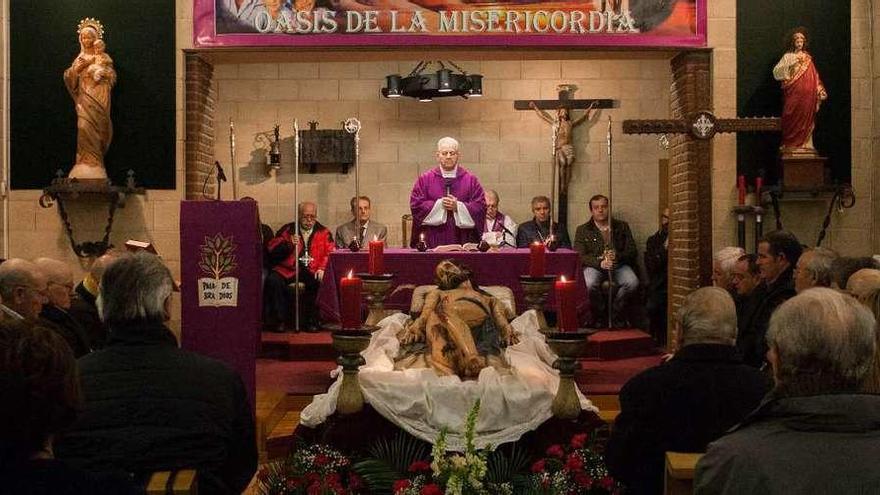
<point x="59" y="289"/>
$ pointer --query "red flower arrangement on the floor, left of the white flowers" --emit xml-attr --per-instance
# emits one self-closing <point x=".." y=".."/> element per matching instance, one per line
<point x="313" y="470"/>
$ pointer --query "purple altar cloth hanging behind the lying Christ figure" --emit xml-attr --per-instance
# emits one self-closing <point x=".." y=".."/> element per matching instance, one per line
<point x="411" y="267"/>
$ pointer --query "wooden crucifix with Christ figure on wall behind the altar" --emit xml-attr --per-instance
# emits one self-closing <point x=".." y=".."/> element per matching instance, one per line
<point x="562" y="145"/>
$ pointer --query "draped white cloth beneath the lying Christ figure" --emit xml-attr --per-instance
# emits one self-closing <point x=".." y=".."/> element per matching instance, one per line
<point x="421" y="402"/>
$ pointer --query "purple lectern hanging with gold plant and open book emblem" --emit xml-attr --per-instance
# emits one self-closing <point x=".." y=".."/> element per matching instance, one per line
<point x="221" y="272"/>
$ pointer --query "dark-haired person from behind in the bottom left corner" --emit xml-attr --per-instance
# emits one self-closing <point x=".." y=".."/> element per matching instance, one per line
<point x="41" y="395"/>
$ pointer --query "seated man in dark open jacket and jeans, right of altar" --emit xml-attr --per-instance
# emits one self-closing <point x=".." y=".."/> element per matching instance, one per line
<point x="600" y="255"/>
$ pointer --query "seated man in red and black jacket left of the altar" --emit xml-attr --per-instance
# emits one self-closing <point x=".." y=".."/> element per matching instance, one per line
<point x="288" y="256"/>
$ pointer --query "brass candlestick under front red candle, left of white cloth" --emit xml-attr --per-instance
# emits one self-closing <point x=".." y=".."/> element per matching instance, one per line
<point x="350" y="344"/>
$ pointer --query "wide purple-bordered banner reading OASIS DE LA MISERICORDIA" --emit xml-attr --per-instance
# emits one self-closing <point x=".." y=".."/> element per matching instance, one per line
<point x="636" y="23"/>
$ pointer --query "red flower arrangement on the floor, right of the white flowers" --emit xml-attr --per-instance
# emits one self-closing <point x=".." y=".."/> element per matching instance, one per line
<point x="573" y="469"/>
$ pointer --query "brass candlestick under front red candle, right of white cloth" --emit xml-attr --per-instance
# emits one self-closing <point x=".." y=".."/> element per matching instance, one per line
<point x="568" y="346"/>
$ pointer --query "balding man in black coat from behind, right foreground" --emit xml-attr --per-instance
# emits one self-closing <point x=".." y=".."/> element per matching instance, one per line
<point x="687" y="402"/>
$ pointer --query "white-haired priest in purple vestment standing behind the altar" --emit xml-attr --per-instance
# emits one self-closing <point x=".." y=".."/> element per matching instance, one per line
<point x="447" y="201"/>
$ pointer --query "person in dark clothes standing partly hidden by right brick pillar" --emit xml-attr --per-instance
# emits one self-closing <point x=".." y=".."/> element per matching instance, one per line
<point x="656" y="265"/>
